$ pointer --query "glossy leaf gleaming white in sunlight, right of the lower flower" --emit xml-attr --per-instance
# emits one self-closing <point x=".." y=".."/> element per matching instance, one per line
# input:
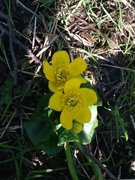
<point x="87" y="133"/>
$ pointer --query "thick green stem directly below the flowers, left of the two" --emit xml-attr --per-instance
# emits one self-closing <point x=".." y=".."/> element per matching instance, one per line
<point x="71" y="167"/>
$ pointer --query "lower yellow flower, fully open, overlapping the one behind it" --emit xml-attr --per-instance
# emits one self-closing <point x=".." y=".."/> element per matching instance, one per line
<point x="73" y="103"/>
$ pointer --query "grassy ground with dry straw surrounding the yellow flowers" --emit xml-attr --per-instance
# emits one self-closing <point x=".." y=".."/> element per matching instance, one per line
<point x="108" y="47"/>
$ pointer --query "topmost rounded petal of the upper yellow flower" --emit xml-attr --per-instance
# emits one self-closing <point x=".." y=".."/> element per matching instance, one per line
<point x="60" y="57"/>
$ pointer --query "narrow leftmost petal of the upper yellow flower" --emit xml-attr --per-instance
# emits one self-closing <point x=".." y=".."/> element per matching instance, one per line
<point x="48" y="71"/>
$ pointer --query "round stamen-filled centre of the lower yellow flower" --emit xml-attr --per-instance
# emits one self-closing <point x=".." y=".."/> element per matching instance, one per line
<point x="72" y="101"/>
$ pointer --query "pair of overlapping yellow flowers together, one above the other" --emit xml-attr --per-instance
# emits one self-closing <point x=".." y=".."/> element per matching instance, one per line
<point x="69" y="98"/>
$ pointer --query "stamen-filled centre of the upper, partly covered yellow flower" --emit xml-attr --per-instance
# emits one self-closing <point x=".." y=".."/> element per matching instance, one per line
<point x="62" y="74"/>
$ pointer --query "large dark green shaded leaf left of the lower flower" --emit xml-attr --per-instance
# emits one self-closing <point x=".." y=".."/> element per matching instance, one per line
<point x="41" y="127"/>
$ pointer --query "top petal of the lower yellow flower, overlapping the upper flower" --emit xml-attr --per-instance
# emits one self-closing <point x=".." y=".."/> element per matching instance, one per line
<point x="73" y="84"/>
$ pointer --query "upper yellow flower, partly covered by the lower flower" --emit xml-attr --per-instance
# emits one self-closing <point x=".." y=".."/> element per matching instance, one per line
<point x="62" y="70"/>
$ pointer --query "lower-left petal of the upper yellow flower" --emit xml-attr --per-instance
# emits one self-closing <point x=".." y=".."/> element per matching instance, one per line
<point x="54" y="87"/>
